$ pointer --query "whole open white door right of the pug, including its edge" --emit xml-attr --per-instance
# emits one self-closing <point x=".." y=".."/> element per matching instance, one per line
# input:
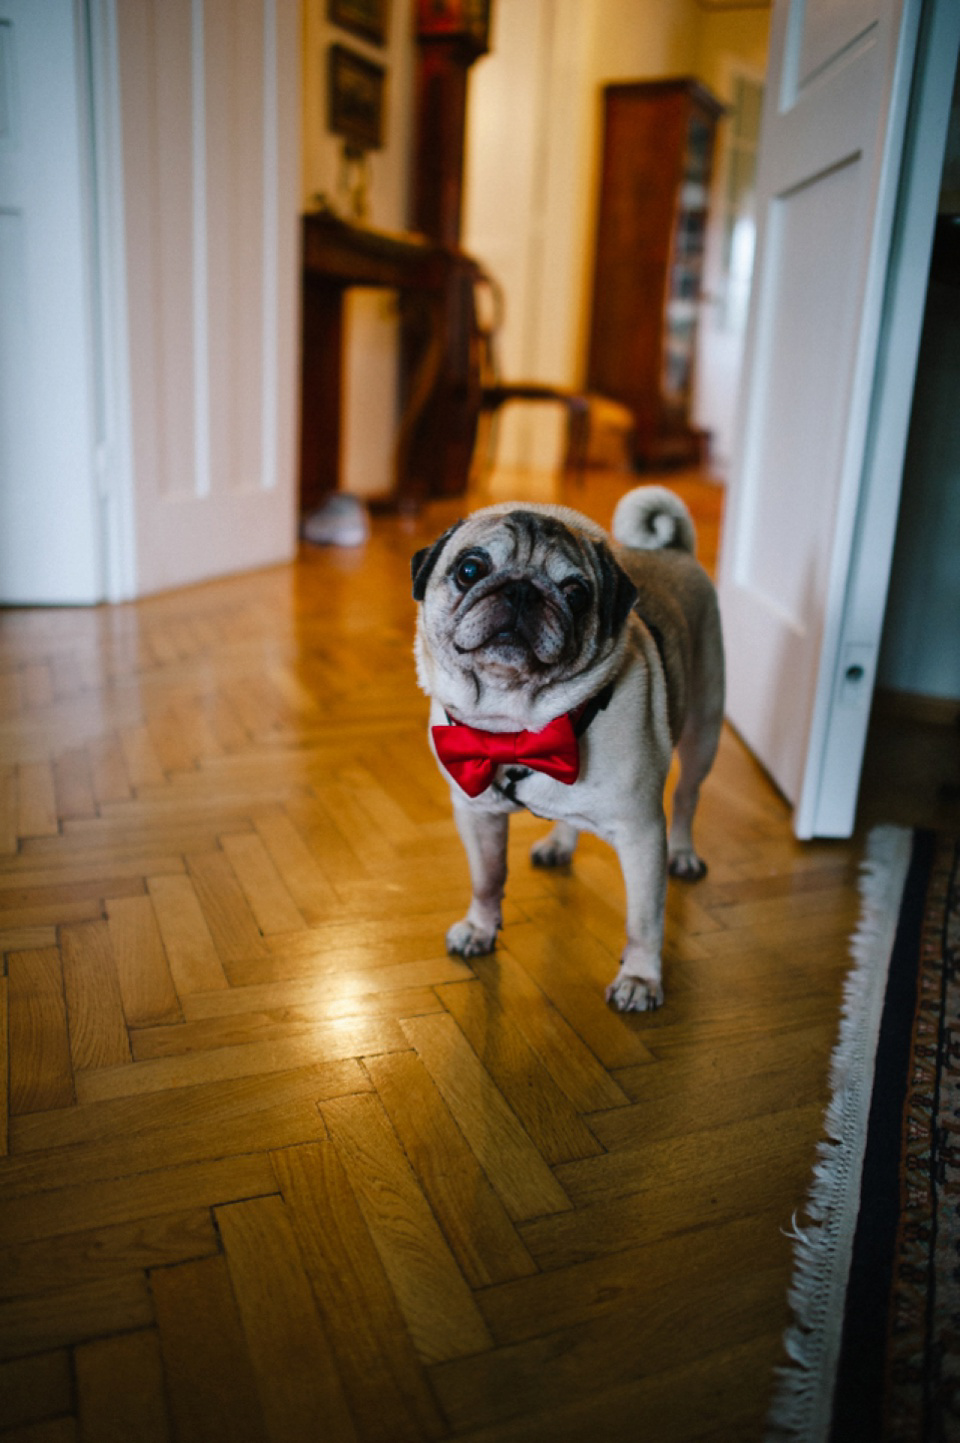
<point x="809" y="530"/>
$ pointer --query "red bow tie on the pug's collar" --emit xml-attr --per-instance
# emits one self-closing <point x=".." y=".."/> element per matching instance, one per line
<point x="473" y="757"/>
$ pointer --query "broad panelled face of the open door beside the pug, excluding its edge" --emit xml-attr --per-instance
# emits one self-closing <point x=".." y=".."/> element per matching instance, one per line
<point x="831" y="146"/>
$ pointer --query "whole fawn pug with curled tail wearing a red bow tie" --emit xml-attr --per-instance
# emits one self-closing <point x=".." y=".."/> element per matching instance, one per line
<point x="564" y="669"/>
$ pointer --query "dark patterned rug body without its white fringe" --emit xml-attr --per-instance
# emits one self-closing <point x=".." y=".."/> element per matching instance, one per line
<point x="907" y="1389"/>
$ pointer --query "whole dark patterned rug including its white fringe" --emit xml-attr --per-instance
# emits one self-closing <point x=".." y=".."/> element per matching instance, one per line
<point x="876" y="1346"/>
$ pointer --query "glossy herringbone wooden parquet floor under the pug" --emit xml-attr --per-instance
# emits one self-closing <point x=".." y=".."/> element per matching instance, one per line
<point x="275" y="1167"/>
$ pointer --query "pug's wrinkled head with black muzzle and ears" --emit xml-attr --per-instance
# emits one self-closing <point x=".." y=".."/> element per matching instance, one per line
<point x="518" y="597"/>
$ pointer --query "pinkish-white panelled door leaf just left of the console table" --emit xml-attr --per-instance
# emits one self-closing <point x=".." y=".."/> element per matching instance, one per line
<point x="209" y="112"/>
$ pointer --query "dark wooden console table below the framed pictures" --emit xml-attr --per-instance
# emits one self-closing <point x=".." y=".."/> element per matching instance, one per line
<point x="337" y="256"/>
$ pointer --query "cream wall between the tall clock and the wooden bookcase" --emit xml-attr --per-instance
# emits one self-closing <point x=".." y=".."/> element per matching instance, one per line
<point x="526" y="213"/>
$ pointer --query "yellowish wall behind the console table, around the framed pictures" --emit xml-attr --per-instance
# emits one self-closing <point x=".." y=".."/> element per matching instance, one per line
<point x="372" y="347"/>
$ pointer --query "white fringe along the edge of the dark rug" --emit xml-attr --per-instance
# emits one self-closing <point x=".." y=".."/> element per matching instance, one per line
<point x="803" y="1402"/>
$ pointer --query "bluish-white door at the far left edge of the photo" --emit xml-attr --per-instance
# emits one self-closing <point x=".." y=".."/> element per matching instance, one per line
<point x="50" y="522"/>
